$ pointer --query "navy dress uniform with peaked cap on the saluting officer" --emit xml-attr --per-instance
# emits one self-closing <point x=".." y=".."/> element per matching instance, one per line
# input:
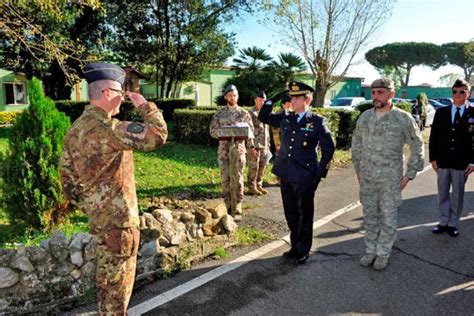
<point x="298" y="167"/>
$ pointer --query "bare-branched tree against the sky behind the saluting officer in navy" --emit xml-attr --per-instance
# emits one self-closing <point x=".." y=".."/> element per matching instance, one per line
<point x="327" y="33"/>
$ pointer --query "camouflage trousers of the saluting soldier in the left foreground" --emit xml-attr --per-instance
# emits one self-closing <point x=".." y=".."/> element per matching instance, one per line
<point x="116" y="258"/>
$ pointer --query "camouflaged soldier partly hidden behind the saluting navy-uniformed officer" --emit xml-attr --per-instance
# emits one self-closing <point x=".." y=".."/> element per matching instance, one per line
<point x="258" y="162"/>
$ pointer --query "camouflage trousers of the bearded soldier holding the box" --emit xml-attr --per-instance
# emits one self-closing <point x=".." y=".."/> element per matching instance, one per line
<point x="237" y="179"/>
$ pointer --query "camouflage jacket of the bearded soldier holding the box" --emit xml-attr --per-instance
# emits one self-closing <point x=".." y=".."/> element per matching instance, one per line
<point x="230" y="116"/>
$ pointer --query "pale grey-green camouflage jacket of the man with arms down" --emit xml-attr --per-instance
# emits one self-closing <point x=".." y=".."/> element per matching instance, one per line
<point x="377" y="145"/>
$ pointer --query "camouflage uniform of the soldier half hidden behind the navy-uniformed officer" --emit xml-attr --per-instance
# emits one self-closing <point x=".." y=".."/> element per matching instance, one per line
<point x="262" y="143"/>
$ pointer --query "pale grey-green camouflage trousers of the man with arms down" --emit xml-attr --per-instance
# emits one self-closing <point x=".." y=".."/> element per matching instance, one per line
<point x="380" y="201"/>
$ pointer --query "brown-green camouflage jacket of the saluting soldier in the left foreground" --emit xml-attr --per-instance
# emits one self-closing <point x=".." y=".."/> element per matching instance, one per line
<point x="97" y="170"/>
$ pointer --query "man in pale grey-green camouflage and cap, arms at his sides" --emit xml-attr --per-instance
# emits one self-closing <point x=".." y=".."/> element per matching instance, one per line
<point x="377" y="154"/>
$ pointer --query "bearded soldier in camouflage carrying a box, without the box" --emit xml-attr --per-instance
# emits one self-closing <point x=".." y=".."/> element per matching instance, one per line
<point x="230" y="115"/>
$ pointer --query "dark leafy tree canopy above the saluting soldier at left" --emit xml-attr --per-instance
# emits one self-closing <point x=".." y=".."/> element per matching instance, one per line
<point x="176" y="39"/>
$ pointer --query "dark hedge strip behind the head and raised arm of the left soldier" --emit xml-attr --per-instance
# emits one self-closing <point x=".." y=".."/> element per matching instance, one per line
<point x="127" y="111"/>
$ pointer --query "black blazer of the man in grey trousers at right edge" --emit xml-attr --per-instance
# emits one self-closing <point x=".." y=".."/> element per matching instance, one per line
<point x="451" y="145"/>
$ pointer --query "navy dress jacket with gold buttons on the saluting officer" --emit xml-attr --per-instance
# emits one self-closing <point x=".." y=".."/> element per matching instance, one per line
<point x="298" y="161"/>
